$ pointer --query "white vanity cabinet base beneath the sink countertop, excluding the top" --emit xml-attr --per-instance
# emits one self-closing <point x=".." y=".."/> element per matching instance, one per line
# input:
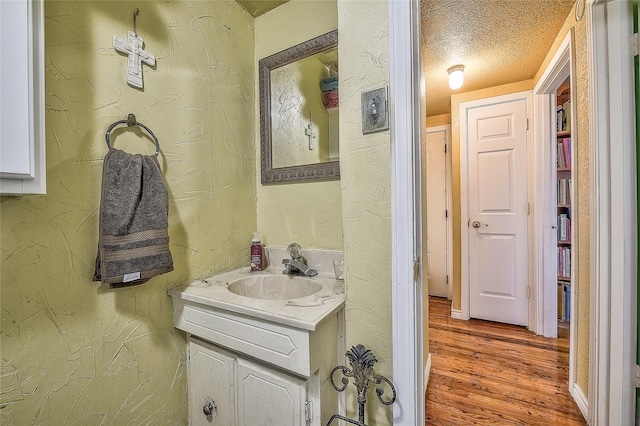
<point x="259" y="372"/>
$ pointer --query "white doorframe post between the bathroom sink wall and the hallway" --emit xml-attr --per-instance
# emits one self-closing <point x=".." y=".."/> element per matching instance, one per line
<point x="406" y="218"/>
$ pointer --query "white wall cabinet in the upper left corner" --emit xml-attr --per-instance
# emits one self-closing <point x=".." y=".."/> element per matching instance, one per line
<point x="22" y="136"/>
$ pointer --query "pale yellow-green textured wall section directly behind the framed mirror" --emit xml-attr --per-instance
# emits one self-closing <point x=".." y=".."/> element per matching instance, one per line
<point x="307" y="212"/>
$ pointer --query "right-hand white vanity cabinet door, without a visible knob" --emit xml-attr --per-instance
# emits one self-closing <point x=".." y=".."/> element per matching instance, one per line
<point x="268" y="397"/>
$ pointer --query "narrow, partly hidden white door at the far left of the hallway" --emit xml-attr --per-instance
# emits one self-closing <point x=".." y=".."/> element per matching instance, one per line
<point x="436" y="209"/>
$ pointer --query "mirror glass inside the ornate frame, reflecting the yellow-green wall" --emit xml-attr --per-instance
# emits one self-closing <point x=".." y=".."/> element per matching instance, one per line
<point x="304" y="111"/>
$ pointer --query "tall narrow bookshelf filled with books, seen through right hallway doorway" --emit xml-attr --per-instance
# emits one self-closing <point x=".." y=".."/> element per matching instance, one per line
<point x="564" y="199"/>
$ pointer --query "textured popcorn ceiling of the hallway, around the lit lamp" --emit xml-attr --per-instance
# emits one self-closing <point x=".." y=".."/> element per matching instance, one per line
<point x="497" y="41"/>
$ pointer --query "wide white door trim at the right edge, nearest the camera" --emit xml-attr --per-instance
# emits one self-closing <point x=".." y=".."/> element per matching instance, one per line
<point x="613" y="210"/>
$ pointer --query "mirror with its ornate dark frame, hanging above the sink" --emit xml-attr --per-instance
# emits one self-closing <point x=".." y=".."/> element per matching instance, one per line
<point x="299" y="112"/>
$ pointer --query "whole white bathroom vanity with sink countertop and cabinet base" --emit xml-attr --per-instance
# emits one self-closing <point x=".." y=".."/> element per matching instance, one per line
<point x="261" y="346"/>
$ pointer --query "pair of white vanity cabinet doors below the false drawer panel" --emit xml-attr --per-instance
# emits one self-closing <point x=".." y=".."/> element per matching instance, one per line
<point x="237" y="391"/>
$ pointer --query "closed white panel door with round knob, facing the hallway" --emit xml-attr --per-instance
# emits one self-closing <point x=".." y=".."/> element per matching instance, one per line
<point x="496" y="147"/>
